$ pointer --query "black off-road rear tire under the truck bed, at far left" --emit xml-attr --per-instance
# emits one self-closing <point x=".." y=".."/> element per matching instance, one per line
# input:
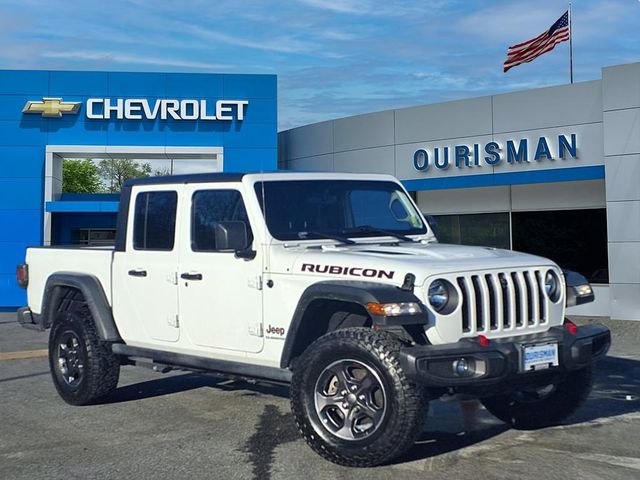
<point x="100" y="367"/>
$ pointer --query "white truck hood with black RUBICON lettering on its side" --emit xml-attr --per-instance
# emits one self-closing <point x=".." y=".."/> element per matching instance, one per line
<point x="391" y="262"/>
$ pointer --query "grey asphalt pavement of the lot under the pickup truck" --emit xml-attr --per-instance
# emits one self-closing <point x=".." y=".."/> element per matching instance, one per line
<point x="196" y="426"/>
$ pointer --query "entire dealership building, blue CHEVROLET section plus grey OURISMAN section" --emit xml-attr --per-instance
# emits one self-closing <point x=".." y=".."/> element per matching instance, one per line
<point x="552" y="171"/>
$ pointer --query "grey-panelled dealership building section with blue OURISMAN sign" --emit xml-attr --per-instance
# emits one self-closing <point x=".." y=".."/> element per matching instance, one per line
<point x="552" y="171"/>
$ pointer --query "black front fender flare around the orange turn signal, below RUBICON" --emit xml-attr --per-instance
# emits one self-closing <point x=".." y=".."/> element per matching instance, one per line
<point x="356" y="292"/>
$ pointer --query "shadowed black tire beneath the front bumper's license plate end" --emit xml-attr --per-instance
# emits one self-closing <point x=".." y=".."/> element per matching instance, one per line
<point x="524" y="413"/>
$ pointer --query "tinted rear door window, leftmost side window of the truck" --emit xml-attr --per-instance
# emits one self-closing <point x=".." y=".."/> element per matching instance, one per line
<point x="154" y="222"/>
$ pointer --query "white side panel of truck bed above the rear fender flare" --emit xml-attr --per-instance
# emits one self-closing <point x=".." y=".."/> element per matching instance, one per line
<point x="44" y="261"/>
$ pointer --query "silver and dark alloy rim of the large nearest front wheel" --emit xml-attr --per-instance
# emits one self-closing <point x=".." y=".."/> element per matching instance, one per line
<point x="350" y="399"/>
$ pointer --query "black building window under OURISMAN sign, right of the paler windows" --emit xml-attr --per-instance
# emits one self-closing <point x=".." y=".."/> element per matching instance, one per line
<point x="574" y="239"/>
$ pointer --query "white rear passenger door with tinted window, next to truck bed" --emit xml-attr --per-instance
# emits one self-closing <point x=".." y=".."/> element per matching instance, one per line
<point x="145" y="289"/>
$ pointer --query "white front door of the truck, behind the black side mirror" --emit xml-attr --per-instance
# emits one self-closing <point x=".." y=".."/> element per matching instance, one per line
<point x="220" y="295"/>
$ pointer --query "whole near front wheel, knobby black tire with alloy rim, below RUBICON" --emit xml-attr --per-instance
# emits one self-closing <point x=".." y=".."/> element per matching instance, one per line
<point x="352" y="401"/>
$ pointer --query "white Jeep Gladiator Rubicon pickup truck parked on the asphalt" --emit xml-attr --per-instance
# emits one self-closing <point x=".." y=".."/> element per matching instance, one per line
<point x="334" y="283"/>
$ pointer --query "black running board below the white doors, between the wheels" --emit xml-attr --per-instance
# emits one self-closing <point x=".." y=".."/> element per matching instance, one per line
<point x="223" y="367"/>
